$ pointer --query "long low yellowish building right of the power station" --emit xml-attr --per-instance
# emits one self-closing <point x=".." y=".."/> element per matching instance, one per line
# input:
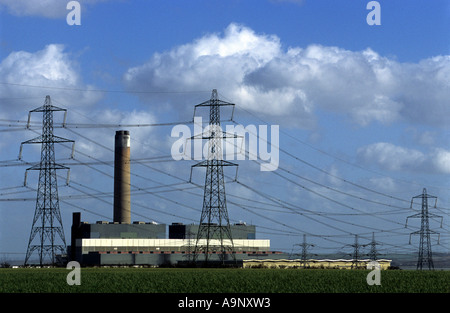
<point x="312" y="263"/>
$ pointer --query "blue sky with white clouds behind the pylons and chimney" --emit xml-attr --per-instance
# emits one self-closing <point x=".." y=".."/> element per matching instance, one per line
<point x="362" y="112"/>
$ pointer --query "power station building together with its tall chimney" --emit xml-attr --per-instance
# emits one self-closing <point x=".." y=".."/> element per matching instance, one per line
<point x="122" y="242"/>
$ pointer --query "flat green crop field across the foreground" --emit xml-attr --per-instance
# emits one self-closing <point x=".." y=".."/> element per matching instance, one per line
<point x="165" y="280"/>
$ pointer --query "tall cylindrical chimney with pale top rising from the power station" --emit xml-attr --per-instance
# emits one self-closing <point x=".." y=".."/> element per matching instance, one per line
<point x="122" y="177"/>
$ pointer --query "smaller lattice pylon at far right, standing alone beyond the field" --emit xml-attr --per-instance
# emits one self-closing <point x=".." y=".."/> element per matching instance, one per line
<point x="425" y="255"/>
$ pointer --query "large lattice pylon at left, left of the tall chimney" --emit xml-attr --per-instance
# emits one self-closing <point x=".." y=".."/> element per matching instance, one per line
<point x="47" y="234"/>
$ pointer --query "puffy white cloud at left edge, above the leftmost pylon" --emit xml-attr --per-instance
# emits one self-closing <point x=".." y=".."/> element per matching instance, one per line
<point x="23" y="72"/>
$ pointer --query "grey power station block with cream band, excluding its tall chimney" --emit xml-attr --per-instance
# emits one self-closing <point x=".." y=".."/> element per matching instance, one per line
<point x="141" y="243"/>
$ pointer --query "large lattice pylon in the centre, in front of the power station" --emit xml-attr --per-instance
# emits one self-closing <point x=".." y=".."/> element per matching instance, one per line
<point x="214" y="232"/>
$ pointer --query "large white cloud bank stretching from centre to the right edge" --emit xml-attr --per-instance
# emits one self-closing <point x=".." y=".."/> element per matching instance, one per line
<point x="292" y="84"/>
